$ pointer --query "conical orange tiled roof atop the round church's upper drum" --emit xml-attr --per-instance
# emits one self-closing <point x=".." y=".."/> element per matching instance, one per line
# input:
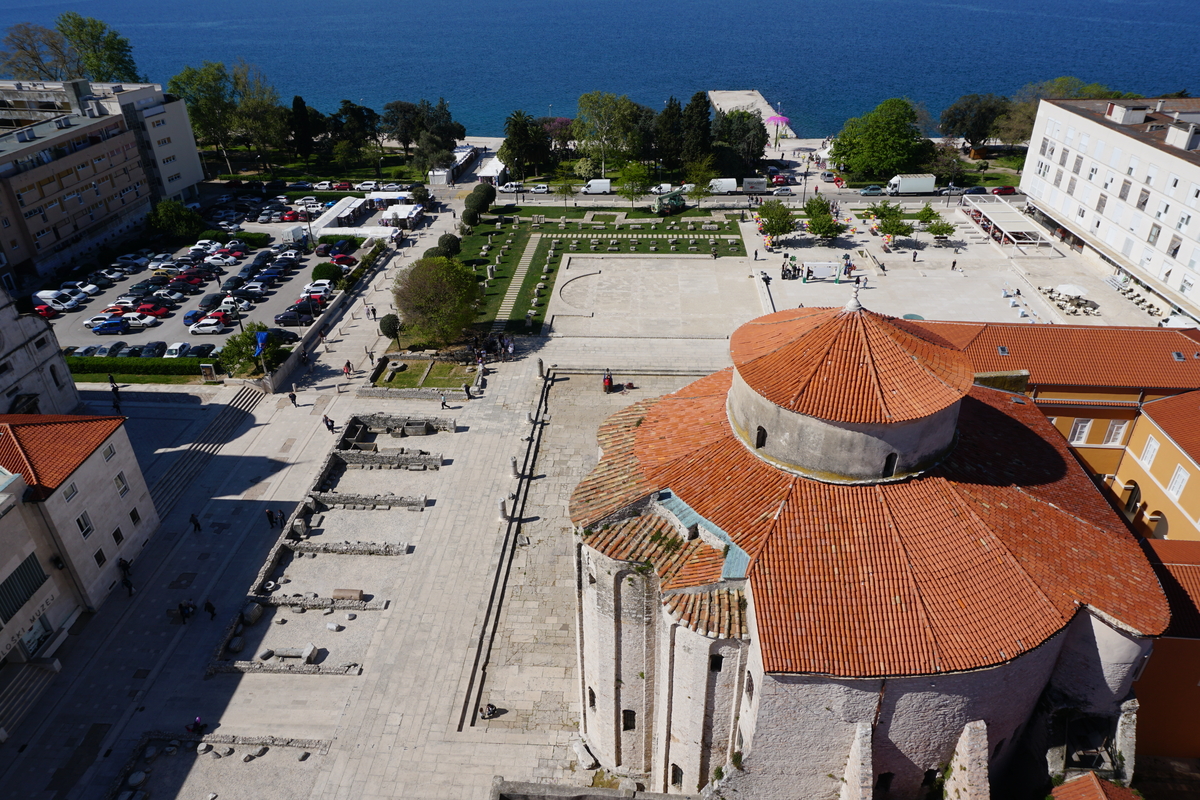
<point x="849" y="366"/>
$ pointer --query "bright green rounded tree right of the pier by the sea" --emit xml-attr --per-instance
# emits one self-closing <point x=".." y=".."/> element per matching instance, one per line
<point x="886" y="142"/>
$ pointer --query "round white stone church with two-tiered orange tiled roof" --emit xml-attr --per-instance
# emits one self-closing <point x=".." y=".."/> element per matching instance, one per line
<point x="843" y="568"/>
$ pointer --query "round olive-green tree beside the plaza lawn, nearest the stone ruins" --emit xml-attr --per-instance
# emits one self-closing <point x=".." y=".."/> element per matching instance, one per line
<point x="439" y="298"/>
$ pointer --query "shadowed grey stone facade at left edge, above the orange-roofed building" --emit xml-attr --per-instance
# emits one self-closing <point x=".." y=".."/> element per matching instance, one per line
<point x="34" y="376"/>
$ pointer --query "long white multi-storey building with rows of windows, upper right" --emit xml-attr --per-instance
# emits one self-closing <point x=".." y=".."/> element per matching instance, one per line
<point x="1120" y="182"/>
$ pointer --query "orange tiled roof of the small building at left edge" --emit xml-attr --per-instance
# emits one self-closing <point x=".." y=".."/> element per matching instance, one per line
<point x="47" y="448"/>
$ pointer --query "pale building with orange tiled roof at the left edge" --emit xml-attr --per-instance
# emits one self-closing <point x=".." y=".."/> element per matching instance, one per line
<point x="85" y="508"/>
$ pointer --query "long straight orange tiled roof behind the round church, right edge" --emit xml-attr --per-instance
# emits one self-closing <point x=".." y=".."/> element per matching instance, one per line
<point x="1077" y="356"/>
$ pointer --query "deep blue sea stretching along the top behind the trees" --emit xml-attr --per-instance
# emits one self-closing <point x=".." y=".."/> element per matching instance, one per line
<point x="819" y="63"/>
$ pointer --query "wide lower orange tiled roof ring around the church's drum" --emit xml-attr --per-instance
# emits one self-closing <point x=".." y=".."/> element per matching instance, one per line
<point x="938" y="574"/>
